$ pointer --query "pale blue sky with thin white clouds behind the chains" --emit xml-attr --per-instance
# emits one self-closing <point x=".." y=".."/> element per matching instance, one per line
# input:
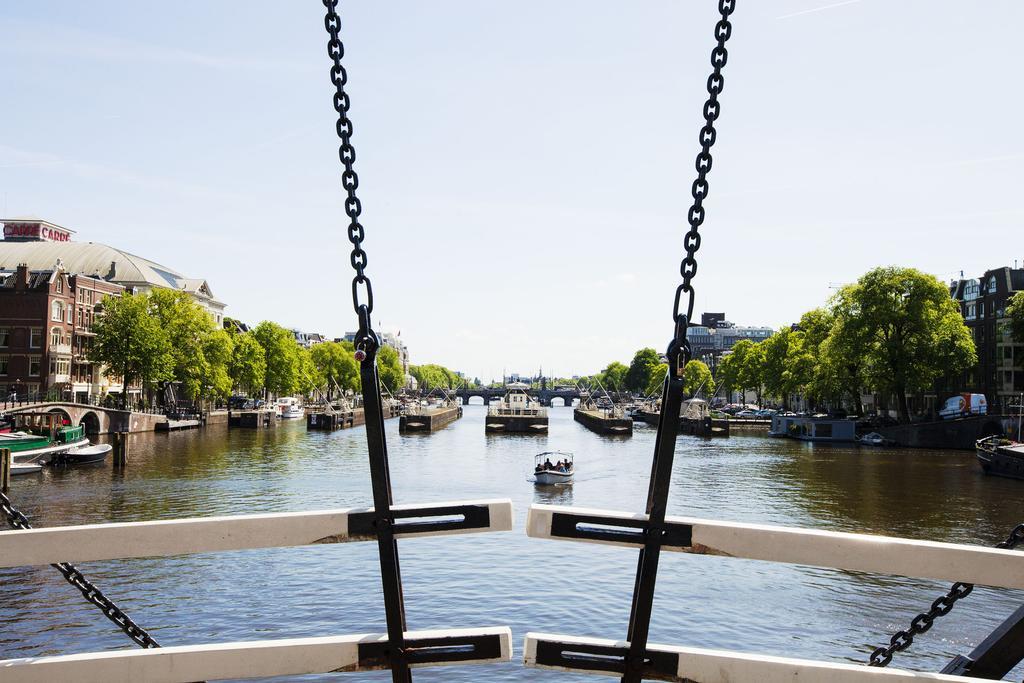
<point x="525" y="166"/>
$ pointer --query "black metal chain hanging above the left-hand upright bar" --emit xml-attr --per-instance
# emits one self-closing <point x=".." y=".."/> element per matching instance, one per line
<point x="347" y="153"/>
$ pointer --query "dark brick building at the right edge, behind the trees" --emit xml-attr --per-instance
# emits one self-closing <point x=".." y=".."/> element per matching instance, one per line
<point x="1000" y="373"/>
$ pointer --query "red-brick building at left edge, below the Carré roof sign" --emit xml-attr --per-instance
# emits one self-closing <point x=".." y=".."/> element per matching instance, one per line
<point x="46" y="333"/>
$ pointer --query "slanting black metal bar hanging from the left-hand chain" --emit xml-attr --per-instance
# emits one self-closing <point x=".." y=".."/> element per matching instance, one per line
<point x="395" y="608"/>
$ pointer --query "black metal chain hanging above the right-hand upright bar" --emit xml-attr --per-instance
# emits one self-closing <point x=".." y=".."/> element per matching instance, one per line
<point x="680" y="349"/>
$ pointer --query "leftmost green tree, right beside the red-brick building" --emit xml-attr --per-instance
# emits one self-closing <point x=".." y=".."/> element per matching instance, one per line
<point x="132" y="343"/>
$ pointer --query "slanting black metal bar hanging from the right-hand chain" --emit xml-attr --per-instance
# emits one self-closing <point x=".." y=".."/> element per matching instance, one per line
<point x="658" y="499"/>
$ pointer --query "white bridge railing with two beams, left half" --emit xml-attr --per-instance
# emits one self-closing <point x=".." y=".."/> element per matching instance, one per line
<point x="255" y="659"/>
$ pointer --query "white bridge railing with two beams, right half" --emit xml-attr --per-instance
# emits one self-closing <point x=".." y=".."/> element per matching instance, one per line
<point x="855" y="552"/>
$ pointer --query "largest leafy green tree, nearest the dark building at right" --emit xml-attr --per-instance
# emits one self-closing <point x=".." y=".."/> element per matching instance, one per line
<point x="911" y="329"/>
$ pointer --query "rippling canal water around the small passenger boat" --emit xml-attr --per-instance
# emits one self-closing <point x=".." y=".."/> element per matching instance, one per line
<point x="509" y="579"/>
